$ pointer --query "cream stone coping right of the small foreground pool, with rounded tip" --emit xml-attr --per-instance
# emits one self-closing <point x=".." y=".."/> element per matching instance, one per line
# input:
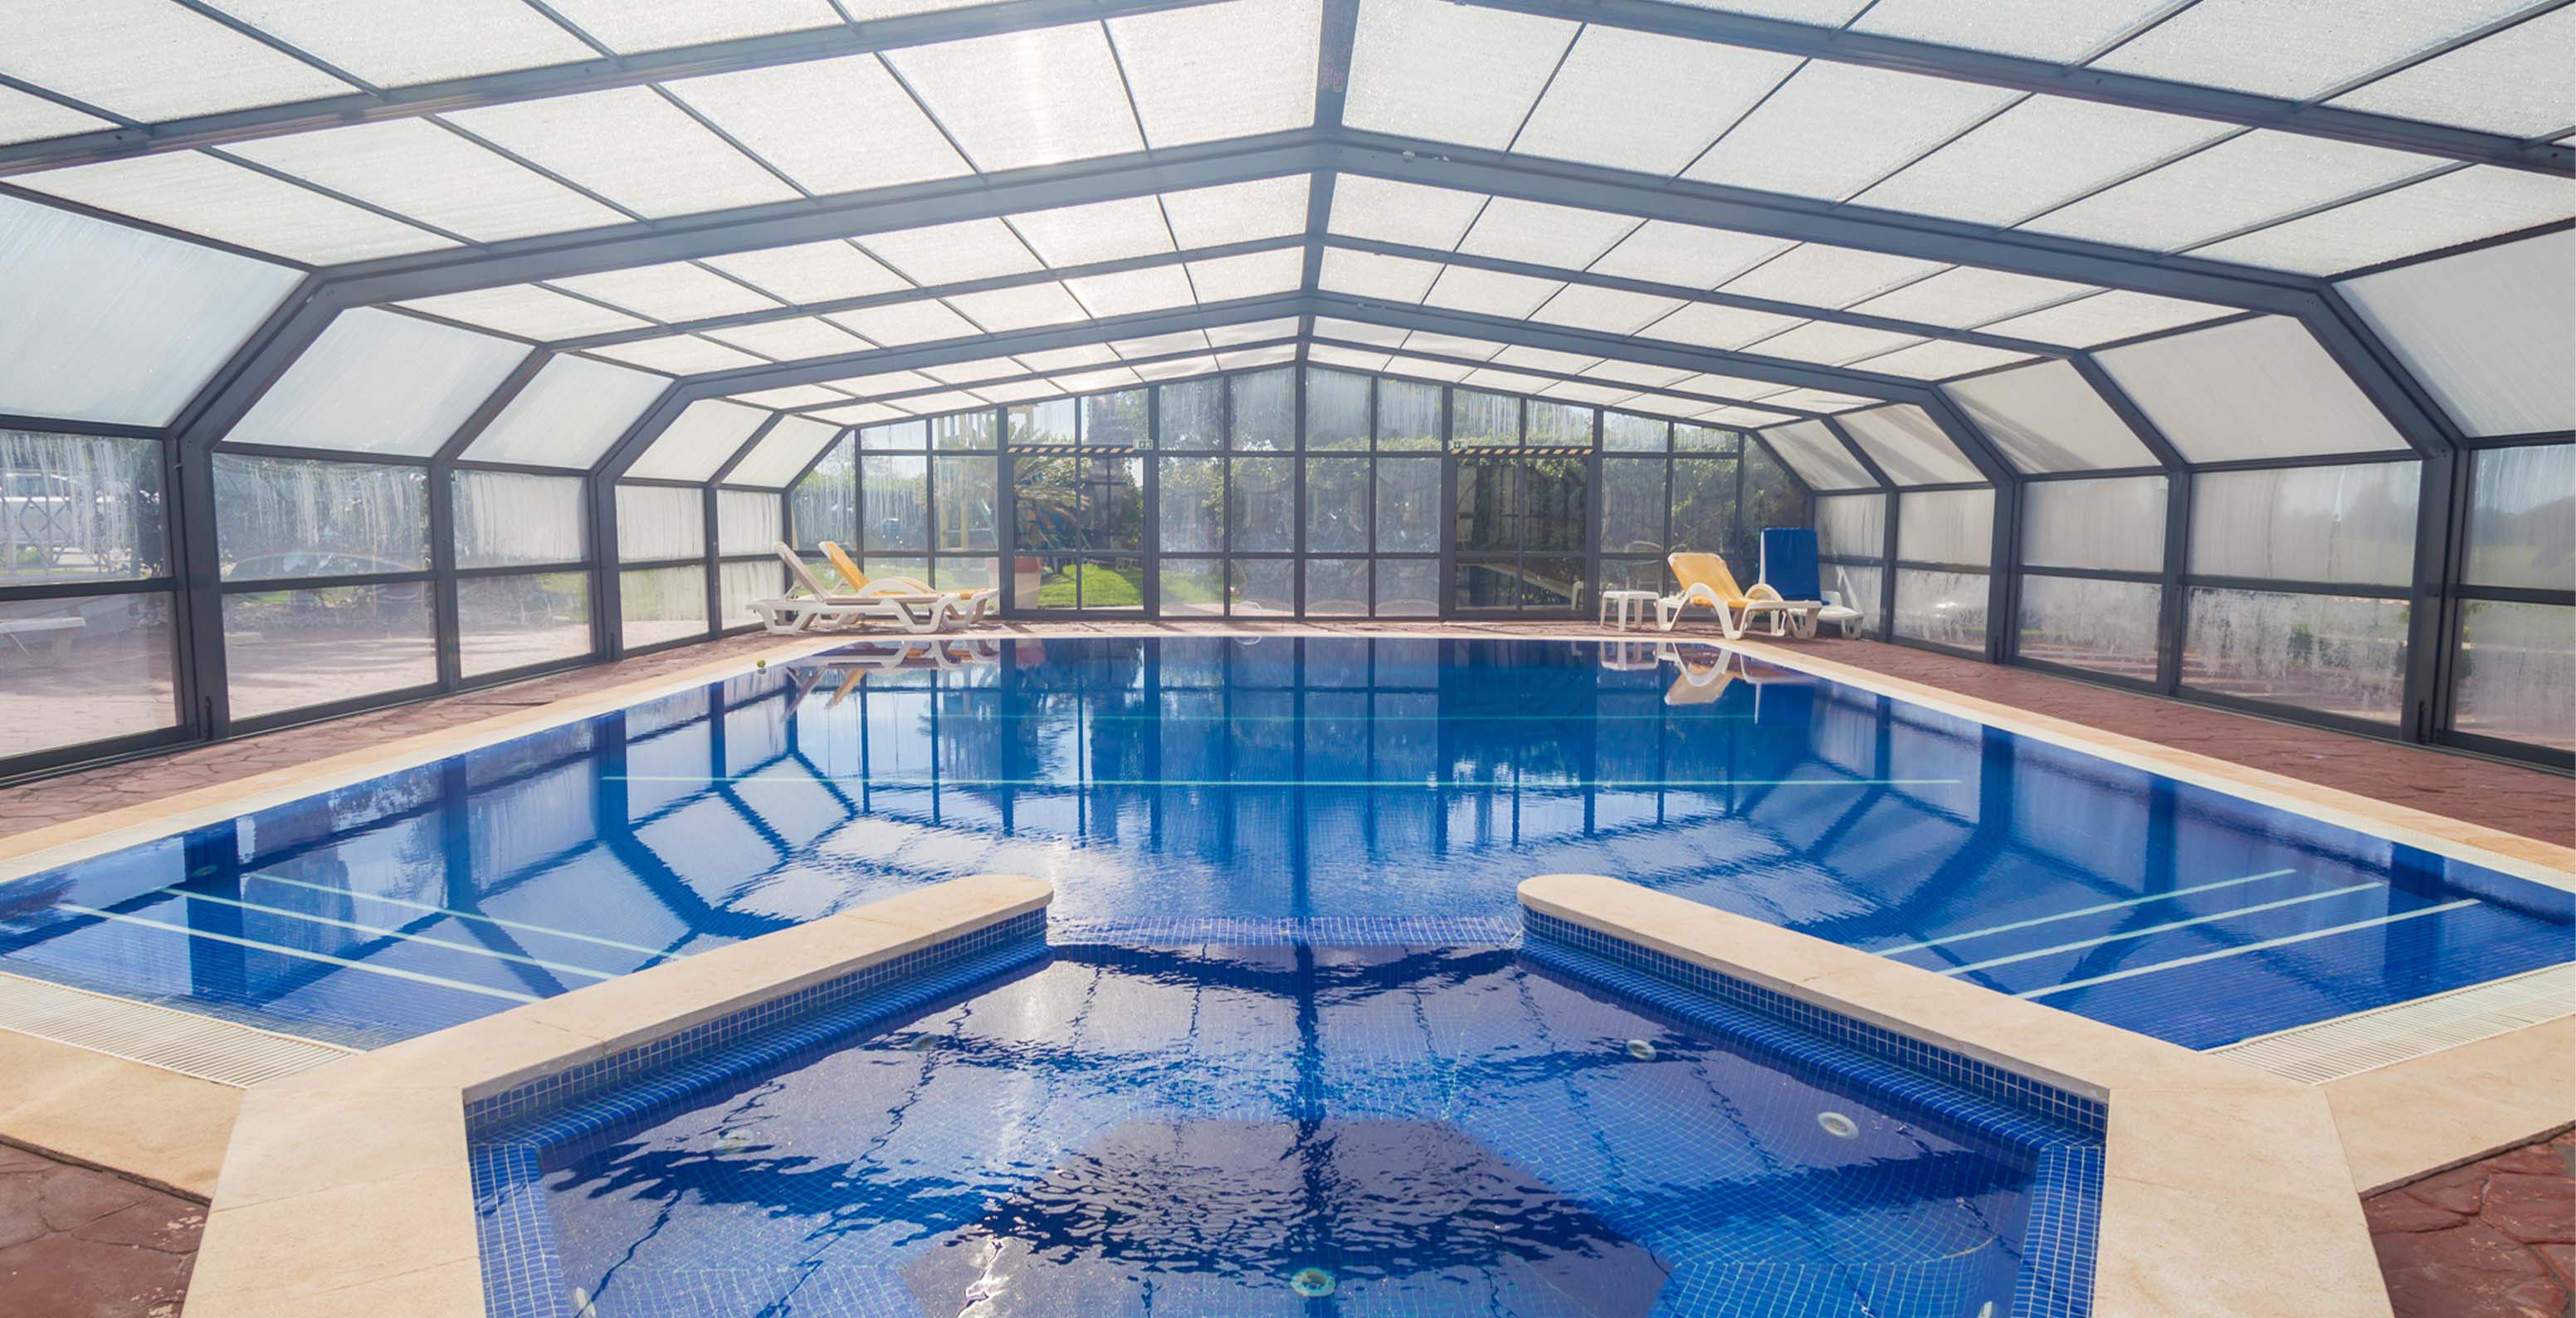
<point x="2224" y="1188"/>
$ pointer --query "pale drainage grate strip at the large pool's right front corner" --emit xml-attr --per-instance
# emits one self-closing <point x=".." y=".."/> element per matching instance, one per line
<point x="2366" y="1041"/>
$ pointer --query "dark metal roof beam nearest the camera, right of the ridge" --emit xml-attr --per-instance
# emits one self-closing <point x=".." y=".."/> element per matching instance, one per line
<point x="2039" y="76"/>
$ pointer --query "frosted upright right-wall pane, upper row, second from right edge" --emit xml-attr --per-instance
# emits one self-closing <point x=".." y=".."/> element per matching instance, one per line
<point x="2307" y="524"/>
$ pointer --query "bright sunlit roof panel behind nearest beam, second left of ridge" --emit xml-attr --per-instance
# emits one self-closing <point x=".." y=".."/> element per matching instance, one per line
<point x="1027" y="97"/>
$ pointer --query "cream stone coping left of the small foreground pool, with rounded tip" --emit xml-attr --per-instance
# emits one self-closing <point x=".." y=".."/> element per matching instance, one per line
<point x="352" y="1188"/>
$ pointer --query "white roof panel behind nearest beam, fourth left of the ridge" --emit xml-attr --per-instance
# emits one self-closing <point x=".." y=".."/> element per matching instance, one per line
<point x="632" y="148"/>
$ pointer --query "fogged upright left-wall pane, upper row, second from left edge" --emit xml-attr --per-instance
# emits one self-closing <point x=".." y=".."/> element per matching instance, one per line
<point x="308" y="519"/>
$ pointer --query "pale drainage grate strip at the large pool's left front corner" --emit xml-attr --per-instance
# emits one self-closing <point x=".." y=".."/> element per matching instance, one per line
<point x="156" y="1036"/>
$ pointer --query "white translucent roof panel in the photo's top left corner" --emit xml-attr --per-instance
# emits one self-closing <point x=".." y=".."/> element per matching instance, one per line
<point x="153" y="60"/>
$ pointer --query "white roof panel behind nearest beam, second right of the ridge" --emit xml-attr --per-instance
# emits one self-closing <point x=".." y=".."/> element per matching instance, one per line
<point x="1647" y="102"/>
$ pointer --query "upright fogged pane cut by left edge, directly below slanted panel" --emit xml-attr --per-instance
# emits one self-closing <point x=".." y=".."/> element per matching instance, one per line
<point x="81" y="508"/>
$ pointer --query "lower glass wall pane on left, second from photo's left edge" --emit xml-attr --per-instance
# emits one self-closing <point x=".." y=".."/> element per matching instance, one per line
<point x="290" y="650"/>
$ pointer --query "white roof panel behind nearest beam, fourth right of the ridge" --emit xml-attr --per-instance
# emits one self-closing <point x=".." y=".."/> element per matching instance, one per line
<point x="2036" y="156"/>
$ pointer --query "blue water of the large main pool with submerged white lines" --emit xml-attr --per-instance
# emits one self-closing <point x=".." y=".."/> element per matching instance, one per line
<point x="1343" y="784"/>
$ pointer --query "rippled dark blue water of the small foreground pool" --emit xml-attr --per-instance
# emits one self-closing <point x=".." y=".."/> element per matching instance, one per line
<point x="1292" y="1129"/>
